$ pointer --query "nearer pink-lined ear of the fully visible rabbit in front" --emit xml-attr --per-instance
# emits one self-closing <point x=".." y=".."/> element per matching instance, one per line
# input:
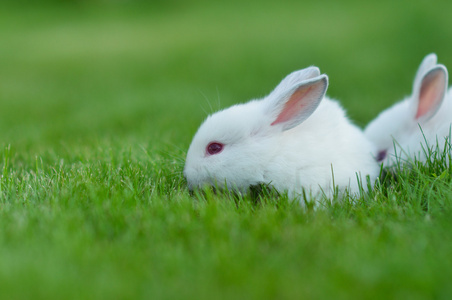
<point x="294" y="105"/>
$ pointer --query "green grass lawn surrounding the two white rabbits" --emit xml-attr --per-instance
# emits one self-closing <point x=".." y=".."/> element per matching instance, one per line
<point x="99" y="102"/>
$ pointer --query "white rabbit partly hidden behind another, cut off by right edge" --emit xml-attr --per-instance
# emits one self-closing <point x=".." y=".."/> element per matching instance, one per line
<point x="409" y="128"/>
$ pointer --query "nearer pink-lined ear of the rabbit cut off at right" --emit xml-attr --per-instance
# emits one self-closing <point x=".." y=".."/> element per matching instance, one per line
<point x="429" y="94"/>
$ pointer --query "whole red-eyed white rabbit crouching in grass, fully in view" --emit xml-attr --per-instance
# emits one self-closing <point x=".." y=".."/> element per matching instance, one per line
<point x="290" y="139"/>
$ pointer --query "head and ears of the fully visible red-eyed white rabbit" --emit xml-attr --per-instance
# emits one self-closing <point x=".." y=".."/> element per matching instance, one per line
<point x="233" y="147"/>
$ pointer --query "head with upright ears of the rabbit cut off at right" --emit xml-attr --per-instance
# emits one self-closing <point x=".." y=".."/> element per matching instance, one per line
<point x="396" y="128"/>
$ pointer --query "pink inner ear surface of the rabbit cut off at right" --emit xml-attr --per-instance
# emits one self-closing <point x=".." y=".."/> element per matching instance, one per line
<point x="430" y="94"/>
